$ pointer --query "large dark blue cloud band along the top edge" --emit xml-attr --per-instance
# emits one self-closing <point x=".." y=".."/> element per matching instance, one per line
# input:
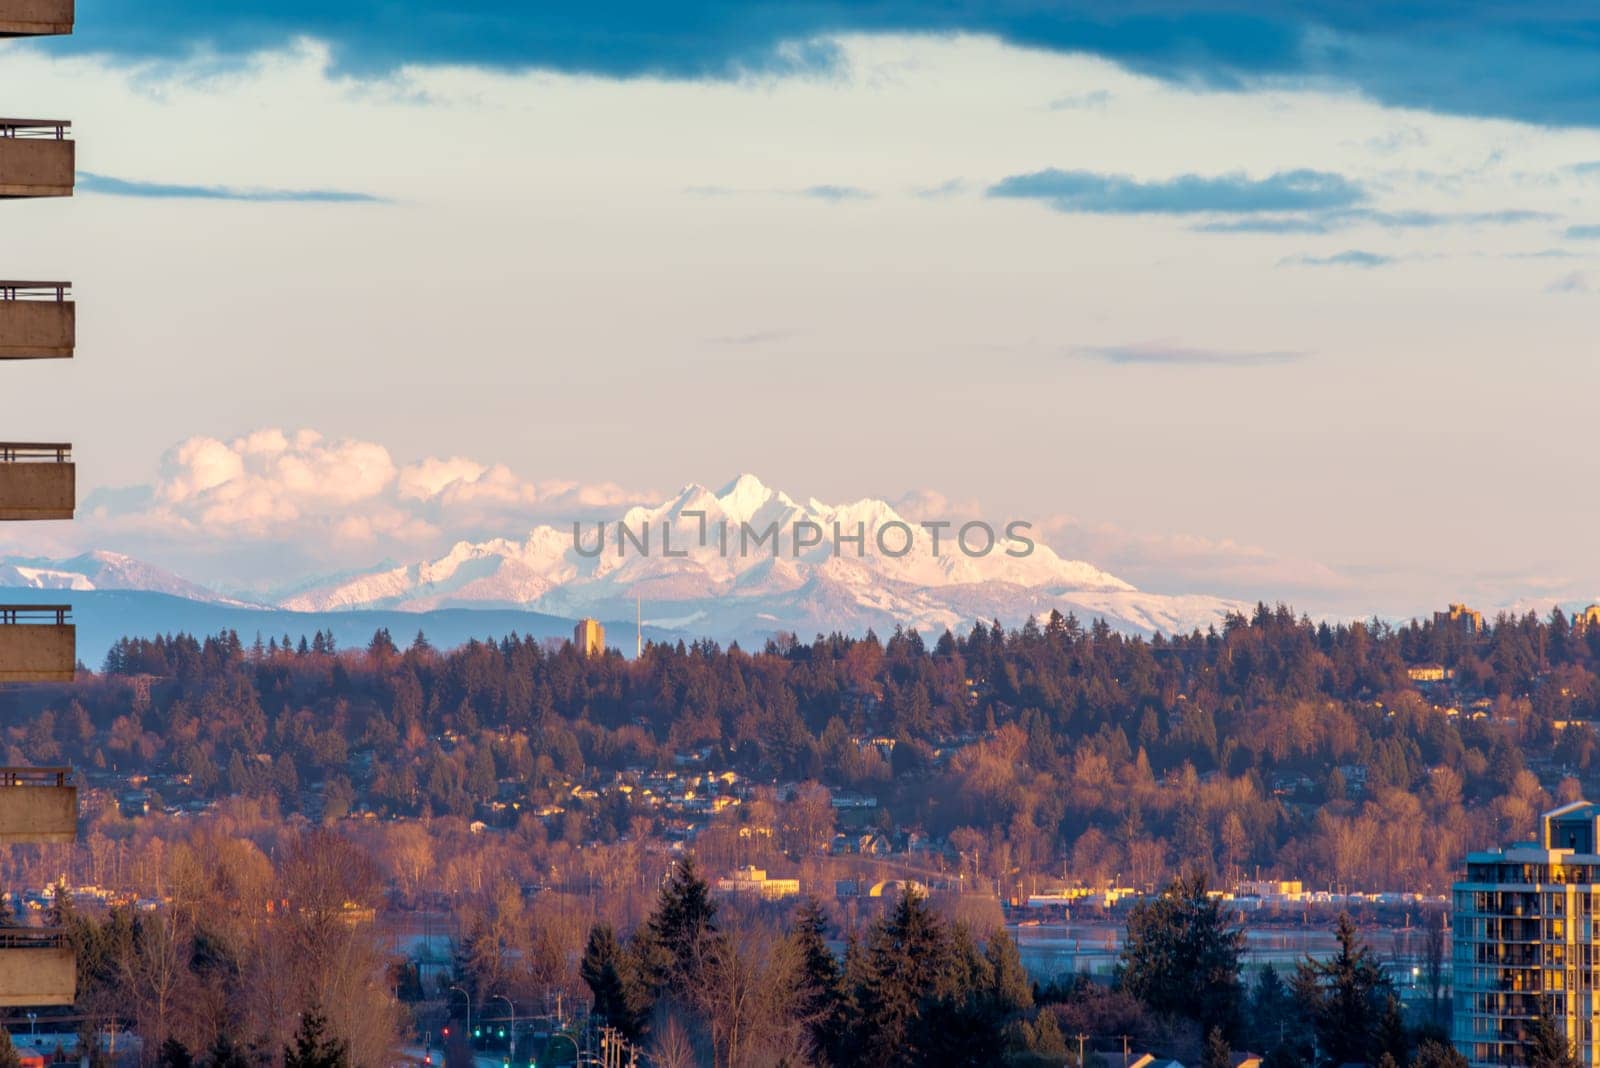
<point x="1420" y="57"/>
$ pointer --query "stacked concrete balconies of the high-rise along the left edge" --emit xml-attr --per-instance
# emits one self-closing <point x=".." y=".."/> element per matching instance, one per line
<point x="38" y="482"/>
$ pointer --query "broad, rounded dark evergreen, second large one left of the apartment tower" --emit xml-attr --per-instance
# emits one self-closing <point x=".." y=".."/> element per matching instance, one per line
<point x="1182" y="957"/>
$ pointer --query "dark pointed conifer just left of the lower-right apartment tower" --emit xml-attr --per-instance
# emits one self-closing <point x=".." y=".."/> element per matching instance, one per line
<point x="1345" y="998"/>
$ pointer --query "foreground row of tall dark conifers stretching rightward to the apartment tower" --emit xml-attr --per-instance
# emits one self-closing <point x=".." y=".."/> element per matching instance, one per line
<point x="695" y="986"/>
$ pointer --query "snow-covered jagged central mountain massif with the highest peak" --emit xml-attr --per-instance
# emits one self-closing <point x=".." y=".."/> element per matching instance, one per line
<point x="711" y="557"/>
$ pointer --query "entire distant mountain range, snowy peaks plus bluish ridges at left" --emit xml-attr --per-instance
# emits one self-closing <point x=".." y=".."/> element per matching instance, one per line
<point x="702" y="564"/>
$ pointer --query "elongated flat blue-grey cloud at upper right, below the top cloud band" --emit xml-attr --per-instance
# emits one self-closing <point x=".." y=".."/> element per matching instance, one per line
<point x="1188" y="194"/>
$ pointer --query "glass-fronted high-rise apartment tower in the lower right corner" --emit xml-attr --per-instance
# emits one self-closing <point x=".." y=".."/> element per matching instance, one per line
<point x="1526" y="941"/>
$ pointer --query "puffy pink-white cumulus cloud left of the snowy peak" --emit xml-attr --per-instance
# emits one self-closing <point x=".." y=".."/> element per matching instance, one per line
<point x="274" y="501"/>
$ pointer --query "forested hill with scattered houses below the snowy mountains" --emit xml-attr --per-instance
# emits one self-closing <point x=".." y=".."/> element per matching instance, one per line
<point x="1273" y="744"/>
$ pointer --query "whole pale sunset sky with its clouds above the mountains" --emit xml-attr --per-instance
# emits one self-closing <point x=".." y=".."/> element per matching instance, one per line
<point x="1273" y="301"/>
